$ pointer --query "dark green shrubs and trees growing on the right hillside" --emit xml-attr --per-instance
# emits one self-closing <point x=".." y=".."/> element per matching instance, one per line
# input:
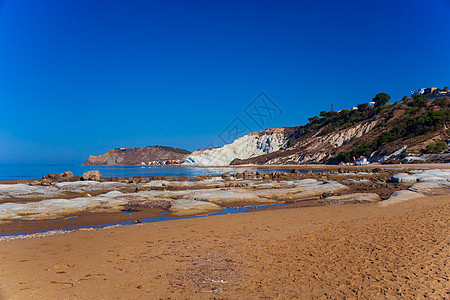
<point x="397" y="122"/>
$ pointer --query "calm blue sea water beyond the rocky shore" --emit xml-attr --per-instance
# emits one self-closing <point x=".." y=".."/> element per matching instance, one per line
<point x="12" y="172"/>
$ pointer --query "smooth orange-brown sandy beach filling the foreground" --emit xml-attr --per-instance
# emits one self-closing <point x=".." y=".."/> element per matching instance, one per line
<point x="349" y="251"/>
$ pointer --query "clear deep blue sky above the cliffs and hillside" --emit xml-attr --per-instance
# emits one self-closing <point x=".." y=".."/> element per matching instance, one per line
<point x="81" y="77"/>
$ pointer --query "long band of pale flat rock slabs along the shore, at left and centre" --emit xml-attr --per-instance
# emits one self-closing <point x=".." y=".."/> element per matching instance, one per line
<point x="192" y="199"/>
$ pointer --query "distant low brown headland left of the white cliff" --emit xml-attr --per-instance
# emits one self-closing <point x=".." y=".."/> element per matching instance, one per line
<point x="152" y="155"/>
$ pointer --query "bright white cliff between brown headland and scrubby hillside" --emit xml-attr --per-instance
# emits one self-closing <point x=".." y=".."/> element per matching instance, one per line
<point x="248" y="146"/>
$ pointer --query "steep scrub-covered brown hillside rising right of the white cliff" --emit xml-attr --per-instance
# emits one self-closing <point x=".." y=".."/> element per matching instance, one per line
<point x="415" y="125"/>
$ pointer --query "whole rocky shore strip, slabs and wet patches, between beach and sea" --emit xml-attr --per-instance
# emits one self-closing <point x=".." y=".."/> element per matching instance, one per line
<point x="354" y="180"/>
